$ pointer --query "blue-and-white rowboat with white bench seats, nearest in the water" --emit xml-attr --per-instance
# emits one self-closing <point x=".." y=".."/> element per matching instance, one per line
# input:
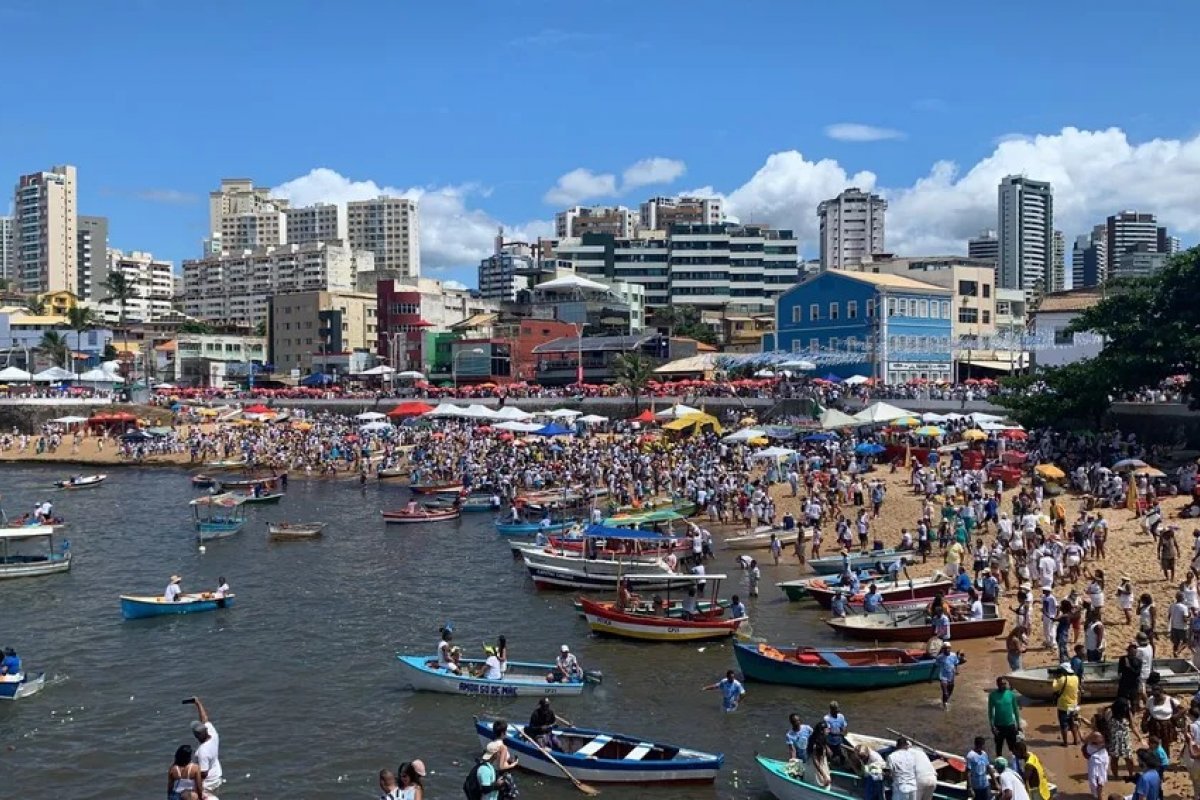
<point x="607" y="757"/>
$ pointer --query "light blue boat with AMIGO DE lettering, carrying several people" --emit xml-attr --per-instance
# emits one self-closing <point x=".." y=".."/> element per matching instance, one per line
<point x="521" y="679"/>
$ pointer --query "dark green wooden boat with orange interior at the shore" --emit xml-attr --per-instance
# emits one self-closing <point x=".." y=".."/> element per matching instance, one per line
<point x="833" y="669"/>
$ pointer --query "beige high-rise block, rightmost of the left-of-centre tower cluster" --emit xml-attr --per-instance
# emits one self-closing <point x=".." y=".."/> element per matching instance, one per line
<point x="388" y="227"/>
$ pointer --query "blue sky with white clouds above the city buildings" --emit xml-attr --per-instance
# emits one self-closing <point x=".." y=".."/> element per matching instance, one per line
<point x="499" y="115"/>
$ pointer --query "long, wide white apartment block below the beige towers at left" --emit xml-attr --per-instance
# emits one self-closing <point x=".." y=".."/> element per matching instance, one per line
<point x="235" y="288"/>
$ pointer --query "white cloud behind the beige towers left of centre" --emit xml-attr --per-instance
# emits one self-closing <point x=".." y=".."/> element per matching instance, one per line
<point x="452" y="233"/>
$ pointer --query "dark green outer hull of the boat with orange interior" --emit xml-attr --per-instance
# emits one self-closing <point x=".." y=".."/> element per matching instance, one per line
<point x="757" y="666"/>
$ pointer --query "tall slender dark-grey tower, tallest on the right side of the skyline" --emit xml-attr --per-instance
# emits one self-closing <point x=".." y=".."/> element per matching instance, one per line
<point x="1027" y="234"/>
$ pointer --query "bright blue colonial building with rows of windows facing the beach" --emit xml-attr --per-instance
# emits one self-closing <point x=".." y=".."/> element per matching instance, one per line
<point x="886" y="327"/>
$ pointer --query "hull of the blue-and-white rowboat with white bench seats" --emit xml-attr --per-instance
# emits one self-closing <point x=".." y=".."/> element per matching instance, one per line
<point x="688" y="767"/>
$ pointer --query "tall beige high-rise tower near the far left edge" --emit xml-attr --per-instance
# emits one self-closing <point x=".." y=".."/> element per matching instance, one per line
<point x="45" y="221"/>
